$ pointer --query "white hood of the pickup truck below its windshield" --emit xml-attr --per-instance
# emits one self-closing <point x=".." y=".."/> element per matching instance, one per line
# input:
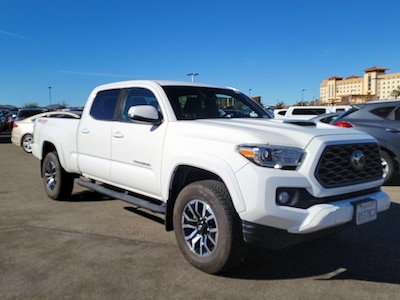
<point x="260" y="131"/>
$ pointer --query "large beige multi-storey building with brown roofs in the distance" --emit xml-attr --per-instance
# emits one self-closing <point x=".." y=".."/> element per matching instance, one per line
<point x="374" y="84"/>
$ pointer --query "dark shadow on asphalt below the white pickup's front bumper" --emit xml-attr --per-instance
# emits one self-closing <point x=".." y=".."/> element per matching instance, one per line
<point x="370" y="252"/>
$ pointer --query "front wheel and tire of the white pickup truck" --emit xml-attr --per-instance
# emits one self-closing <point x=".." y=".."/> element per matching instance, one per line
<point x="207" y="228"/>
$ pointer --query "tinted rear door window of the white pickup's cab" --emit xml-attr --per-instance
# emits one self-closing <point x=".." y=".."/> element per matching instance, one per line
<point x="103" y="107"/>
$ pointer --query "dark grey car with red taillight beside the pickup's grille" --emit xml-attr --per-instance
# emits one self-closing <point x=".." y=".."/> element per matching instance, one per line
<point x="381" y="119"/>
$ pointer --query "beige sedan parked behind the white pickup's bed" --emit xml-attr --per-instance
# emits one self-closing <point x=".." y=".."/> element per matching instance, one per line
<point x="22" y="132"/>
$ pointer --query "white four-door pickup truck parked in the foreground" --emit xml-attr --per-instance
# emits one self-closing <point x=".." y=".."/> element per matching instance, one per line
<point x="212" y="161"/>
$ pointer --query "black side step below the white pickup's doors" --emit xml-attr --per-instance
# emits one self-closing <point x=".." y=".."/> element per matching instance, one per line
<point x="157" y="208"/>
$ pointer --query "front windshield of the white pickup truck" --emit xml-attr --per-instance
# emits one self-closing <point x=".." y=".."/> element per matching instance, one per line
<point x="192" y="102"/>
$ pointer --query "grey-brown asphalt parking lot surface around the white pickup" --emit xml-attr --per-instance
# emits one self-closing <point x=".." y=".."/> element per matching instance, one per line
<point x="93" y="247"/>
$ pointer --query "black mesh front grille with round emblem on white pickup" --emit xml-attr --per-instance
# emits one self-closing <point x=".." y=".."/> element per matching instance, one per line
<point x="335" y="168"/>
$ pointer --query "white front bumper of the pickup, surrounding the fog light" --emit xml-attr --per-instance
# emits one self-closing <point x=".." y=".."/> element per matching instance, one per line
<point x="262" y="209"/>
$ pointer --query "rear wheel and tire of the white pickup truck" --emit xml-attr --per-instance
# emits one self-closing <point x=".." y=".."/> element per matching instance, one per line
<point x="57" y="183"/>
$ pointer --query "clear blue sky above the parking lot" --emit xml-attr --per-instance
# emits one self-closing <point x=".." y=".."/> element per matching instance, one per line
<point x="274" y="48"/>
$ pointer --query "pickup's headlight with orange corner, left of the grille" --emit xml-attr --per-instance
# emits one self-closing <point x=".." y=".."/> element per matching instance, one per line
<point x="272" y="156"/>
